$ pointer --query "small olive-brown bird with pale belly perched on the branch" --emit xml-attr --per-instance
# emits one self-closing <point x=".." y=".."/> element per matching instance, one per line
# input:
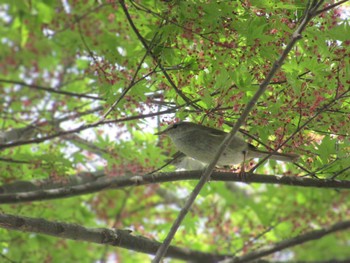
<point x="202" y="143"/>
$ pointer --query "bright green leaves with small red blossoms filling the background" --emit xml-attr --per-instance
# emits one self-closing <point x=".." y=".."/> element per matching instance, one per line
<point x="63" y="64"/>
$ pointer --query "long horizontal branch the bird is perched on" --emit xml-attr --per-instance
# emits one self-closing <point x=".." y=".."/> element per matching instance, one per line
<point x="90" y="183"/>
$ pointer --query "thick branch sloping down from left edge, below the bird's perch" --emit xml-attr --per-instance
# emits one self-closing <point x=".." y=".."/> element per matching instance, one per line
<point x="104" y="236"/>
